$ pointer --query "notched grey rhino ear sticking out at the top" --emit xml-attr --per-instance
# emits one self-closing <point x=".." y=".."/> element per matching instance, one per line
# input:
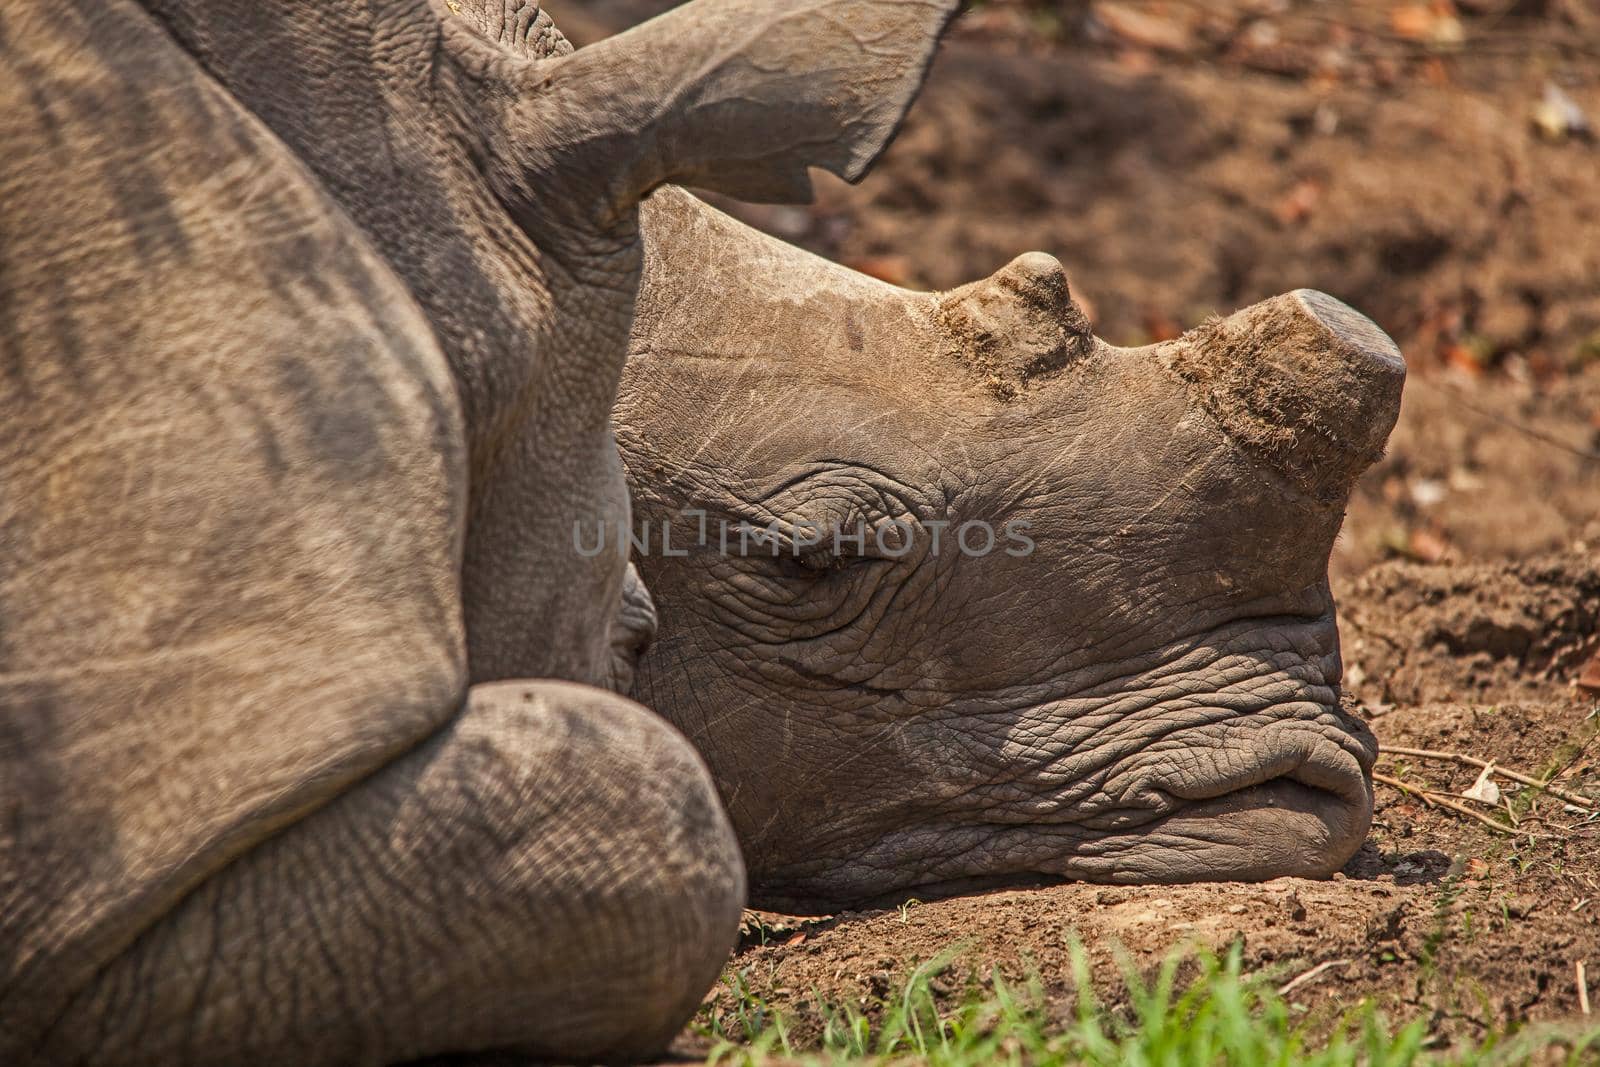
<point x="738" y="97"/>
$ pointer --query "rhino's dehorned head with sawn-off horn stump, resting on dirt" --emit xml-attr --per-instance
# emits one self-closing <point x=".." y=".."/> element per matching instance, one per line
<point x="1023" y="602"/>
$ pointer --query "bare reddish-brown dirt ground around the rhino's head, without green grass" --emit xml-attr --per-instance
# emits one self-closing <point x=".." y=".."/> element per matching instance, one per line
<point x="1436" y="166"/>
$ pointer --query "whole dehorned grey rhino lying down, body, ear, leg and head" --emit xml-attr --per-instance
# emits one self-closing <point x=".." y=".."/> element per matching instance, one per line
<point x="311" y="748"/>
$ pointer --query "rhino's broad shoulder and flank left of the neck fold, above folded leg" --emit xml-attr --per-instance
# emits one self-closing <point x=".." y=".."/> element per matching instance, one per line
<point x="231" y="495"/>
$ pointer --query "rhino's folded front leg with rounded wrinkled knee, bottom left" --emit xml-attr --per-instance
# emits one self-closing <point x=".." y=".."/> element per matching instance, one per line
<point x="551" y="874"/>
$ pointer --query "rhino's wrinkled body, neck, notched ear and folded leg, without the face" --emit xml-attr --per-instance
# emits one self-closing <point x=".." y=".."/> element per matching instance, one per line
<point x="313" y="318"/>
